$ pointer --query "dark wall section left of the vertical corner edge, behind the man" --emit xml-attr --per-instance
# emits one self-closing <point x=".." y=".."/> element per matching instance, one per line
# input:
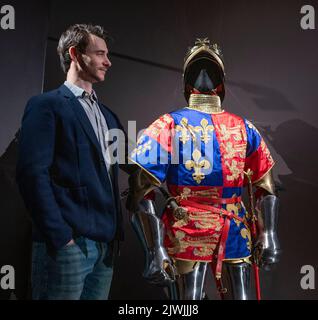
<point x="22" y="57"/>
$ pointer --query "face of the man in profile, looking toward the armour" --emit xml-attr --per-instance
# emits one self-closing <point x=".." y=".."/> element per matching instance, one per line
<point x="94" y="63"/>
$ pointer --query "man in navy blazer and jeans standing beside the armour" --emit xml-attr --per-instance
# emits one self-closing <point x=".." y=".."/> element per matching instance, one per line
<point x="66" y="177"/>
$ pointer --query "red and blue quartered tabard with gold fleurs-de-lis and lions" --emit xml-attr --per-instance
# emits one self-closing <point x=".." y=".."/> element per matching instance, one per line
<point x="202" y="157"/>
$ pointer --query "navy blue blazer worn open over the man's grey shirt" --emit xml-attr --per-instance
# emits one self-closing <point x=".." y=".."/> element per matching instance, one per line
<point x="61" y="172"/>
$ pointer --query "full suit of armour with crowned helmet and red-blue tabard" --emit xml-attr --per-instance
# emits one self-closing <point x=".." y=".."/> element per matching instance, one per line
<point x="206" y="155"/>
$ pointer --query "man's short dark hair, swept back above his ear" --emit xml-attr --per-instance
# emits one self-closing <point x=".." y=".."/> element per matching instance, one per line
<point x="78" y="36"/>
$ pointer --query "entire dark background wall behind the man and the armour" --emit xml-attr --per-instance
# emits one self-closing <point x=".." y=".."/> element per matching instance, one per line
<point x="271" y="69"/>
